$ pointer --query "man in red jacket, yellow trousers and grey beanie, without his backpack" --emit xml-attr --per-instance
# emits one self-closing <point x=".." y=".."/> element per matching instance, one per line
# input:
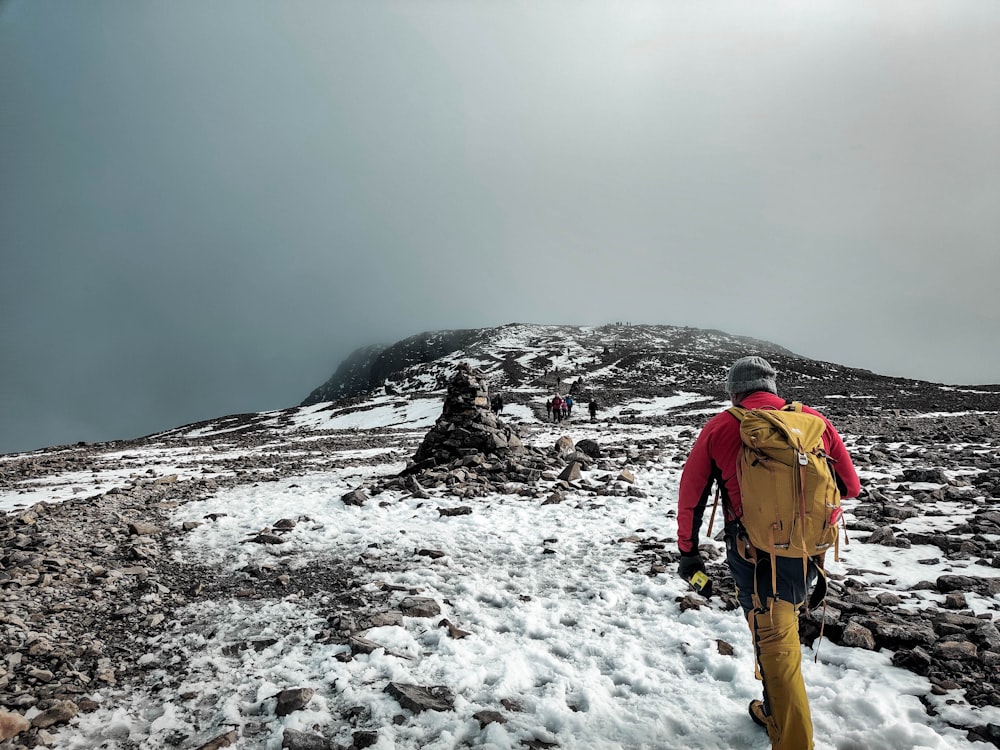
<point x="784" y="712"/>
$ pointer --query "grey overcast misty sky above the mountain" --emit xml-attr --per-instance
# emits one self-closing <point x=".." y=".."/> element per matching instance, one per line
<point x="205" y="206"/>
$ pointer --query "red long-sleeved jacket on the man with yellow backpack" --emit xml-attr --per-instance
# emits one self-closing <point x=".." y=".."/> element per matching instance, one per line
<point x="714" y="458"/>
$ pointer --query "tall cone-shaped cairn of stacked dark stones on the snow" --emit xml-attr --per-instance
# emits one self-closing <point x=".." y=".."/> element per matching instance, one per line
<point x="466" y="425"/>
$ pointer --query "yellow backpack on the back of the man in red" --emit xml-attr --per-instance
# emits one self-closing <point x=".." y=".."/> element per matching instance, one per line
<point x="791" y="503"/>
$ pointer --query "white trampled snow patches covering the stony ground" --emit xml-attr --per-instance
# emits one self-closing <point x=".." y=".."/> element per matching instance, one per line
<point x="567" y="642"/>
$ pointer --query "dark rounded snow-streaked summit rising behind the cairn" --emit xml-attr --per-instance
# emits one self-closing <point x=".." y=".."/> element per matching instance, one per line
<point x="613" y="363"/>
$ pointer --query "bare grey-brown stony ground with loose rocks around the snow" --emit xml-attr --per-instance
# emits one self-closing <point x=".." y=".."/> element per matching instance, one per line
<point x="85" y="581"/>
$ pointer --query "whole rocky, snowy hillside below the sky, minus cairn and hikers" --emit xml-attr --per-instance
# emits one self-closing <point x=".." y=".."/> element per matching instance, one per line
<point x="269" y="580"/>
